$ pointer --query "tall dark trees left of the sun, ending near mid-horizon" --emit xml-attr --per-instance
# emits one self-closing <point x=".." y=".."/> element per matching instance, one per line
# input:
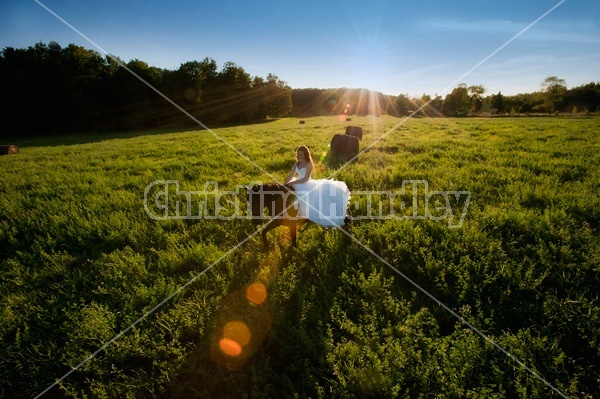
<point x="49" y="89"/>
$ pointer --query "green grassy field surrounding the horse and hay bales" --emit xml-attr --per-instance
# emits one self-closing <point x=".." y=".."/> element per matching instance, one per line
<point x="81" y="260"/>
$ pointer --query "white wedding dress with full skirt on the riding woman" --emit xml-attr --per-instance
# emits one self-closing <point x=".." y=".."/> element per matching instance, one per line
<point x="321" y="201"/>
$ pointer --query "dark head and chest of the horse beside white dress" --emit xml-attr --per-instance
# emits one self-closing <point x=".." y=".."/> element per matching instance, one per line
<point x="273" y="196"/>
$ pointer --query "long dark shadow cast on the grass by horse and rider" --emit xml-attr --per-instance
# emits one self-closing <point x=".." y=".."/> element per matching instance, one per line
<point x="290" y="356"/>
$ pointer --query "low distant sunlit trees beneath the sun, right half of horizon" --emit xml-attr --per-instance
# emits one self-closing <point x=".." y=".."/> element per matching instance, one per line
<point x="553" y="98"/>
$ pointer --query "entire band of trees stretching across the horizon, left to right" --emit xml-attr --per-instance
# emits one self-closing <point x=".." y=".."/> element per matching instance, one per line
<point x="49" y="89"/>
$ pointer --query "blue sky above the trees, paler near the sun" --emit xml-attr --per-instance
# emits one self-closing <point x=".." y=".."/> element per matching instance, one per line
<point x="409" y="47"/>
